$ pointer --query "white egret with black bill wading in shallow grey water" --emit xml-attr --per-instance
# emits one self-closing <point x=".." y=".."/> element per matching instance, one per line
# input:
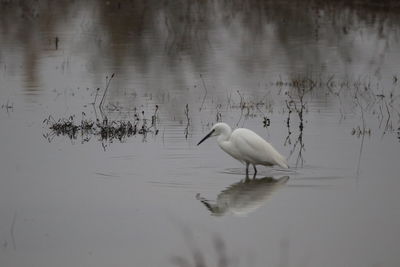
<point x="246" y="146"/>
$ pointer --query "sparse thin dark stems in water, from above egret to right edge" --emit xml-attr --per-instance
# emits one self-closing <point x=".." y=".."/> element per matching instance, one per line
<point x="354" y="98"/>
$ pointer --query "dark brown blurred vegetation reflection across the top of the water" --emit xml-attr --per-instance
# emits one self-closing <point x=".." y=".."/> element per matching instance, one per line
<point x="118" y="31"/>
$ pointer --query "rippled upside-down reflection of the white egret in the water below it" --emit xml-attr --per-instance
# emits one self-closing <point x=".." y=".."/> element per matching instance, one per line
<point x="243" y="197"/>
